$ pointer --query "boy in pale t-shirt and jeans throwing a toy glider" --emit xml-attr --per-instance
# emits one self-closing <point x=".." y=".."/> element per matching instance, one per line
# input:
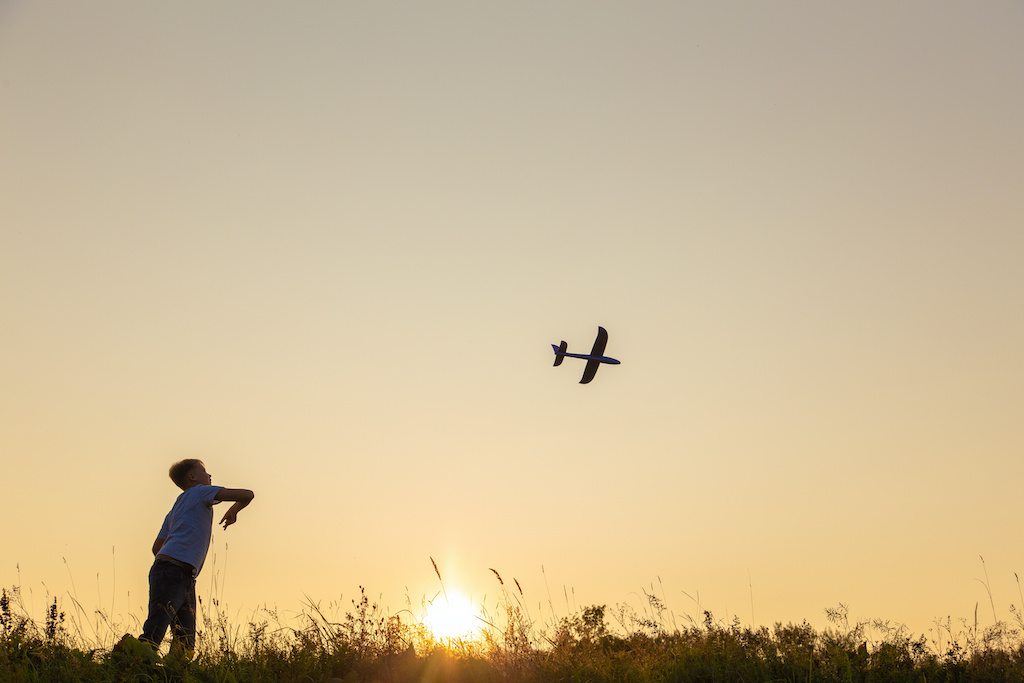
<point x="181" y="551"/>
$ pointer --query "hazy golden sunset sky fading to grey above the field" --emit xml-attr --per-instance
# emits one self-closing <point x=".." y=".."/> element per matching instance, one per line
<point x="326" y="248"/>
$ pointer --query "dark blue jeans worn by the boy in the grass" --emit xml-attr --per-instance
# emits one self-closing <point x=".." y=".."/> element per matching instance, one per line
<point x="173" y="604"/>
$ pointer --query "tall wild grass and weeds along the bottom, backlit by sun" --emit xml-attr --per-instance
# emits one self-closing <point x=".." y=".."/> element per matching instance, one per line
<point x="362" y="642"/>
